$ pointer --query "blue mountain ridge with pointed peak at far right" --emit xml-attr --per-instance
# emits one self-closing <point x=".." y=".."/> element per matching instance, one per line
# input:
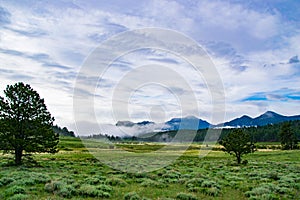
<point x="268" y="117"/>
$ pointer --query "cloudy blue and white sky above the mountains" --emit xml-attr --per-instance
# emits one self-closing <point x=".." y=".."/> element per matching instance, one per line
<point x="252" y="44"/>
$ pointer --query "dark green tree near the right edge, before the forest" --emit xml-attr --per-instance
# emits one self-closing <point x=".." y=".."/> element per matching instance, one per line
<point x="288" y="137"/>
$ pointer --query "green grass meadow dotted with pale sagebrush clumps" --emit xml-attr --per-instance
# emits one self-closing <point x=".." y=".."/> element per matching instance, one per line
<point x="74" y="173"/>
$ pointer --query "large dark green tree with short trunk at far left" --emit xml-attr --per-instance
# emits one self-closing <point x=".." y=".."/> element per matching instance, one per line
<point x="25" y="123"/>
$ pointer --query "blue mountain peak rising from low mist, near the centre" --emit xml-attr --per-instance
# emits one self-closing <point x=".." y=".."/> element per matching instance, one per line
<point x="188" y="123"/>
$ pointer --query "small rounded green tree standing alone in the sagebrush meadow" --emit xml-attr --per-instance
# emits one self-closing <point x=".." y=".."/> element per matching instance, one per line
<point x="237" y="143"/>
